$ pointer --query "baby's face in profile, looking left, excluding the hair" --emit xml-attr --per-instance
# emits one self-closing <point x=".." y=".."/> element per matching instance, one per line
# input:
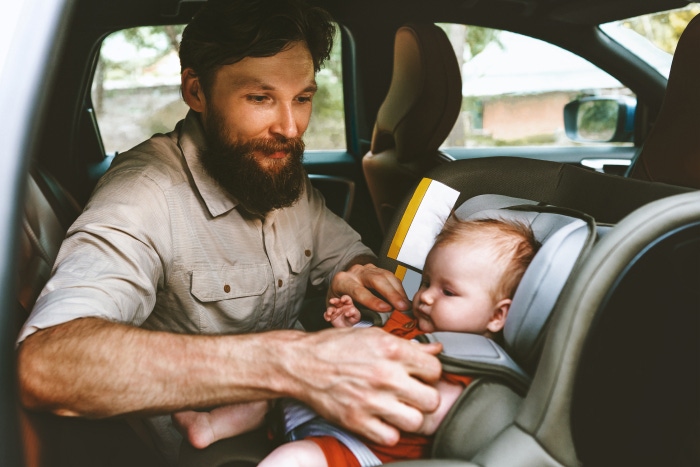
<point x="455" y="292"/>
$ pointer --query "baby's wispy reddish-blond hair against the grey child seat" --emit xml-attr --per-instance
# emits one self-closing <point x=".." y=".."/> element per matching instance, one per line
<point x="511" y="242"/>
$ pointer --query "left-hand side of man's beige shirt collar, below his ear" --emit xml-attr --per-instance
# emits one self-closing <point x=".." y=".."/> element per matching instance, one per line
<point x="192" y="141"/>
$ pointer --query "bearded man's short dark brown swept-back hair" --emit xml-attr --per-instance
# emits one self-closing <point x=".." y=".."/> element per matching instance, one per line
<point x="224" y="32"/>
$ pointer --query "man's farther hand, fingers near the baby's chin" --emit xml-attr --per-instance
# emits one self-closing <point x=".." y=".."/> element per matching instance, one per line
<point x="360" y="279"/>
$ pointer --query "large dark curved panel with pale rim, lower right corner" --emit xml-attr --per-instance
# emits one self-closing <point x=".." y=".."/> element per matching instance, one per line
<point x="640" y="300"/>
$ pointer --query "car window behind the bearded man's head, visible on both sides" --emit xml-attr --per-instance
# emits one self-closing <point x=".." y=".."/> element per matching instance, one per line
<point x="136" y="90"/>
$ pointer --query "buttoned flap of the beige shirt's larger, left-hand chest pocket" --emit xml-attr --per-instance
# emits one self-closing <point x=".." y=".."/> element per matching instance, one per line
<point x="230" y="282"/>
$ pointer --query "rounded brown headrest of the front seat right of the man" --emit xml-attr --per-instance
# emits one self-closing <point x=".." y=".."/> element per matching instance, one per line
<point x="424" y="96"/>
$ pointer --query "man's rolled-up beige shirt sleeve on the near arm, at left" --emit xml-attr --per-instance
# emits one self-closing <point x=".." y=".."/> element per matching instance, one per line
<point x="111" y="263"/>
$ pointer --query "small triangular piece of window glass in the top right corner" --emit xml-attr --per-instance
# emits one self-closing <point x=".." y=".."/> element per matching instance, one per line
<point x="653" y="37"/>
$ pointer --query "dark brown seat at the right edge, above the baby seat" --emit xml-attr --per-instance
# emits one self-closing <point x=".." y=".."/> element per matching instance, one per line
<point x="671" y="152"/>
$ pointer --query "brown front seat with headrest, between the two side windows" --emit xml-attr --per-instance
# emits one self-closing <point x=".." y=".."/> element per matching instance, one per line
<point x="419" y="111"/>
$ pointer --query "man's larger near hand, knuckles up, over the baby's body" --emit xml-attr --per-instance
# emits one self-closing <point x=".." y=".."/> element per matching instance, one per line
<point x="367" y="380"/>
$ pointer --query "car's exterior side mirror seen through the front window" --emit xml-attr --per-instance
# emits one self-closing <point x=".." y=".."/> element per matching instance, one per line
<point x="600" y="119"/>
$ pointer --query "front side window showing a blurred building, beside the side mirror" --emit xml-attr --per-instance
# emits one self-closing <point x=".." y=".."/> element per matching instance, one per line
<point x="515" y="88"/>
